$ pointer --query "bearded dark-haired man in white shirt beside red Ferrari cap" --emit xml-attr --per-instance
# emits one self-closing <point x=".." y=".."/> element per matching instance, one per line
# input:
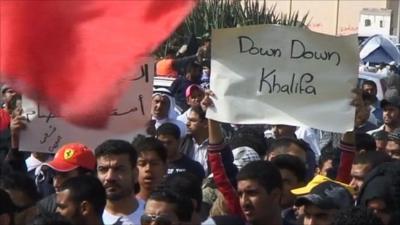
<point x="117" y="171"/>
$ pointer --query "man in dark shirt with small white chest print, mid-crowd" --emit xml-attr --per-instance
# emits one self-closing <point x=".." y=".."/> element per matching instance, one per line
<point x="169" y="134"/>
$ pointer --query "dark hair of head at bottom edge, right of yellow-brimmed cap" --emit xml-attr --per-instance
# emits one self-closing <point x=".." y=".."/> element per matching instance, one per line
<point x="356" y="216"/>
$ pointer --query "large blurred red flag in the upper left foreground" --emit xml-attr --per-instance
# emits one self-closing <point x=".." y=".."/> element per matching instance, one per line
<point x="72" y="54"/>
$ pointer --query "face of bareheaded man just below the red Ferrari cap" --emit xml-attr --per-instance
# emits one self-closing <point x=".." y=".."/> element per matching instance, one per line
<point x="68" y="208"/>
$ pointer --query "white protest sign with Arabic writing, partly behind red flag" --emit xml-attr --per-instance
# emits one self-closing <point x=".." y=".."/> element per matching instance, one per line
<point x="46" y="132"/>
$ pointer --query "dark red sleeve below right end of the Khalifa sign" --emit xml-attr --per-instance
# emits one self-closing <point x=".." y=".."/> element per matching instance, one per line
<point x="346" y="160"/>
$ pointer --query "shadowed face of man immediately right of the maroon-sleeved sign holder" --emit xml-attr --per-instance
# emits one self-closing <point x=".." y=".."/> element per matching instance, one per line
<point x="290" y="182"/>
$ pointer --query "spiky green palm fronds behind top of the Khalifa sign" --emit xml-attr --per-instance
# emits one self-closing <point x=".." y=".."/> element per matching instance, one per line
<point x="213" y="14"/>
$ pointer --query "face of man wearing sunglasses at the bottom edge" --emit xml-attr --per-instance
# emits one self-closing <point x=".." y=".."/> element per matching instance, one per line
<point x="158" y="210"/>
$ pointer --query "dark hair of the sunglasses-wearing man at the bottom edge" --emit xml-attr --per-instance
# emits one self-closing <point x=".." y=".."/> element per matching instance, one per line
<point x="183" y="204"/>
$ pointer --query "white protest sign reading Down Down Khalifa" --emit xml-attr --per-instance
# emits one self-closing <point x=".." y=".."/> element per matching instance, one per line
<point x="269" y="74"/>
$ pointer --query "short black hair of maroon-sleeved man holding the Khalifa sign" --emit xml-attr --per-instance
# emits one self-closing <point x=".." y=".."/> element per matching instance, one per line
<point x="264" y="172"/>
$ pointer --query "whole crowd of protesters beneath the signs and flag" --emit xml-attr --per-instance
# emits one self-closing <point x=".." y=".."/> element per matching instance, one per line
<point x="191" y="170"/>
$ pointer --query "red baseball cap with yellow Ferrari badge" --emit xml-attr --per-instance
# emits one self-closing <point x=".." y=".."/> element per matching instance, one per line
<point x="72" y="156"/>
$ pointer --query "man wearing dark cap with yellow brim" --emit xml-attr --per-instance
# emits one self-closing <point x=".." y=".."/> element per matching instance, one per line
<point x="322" y="199"/>
